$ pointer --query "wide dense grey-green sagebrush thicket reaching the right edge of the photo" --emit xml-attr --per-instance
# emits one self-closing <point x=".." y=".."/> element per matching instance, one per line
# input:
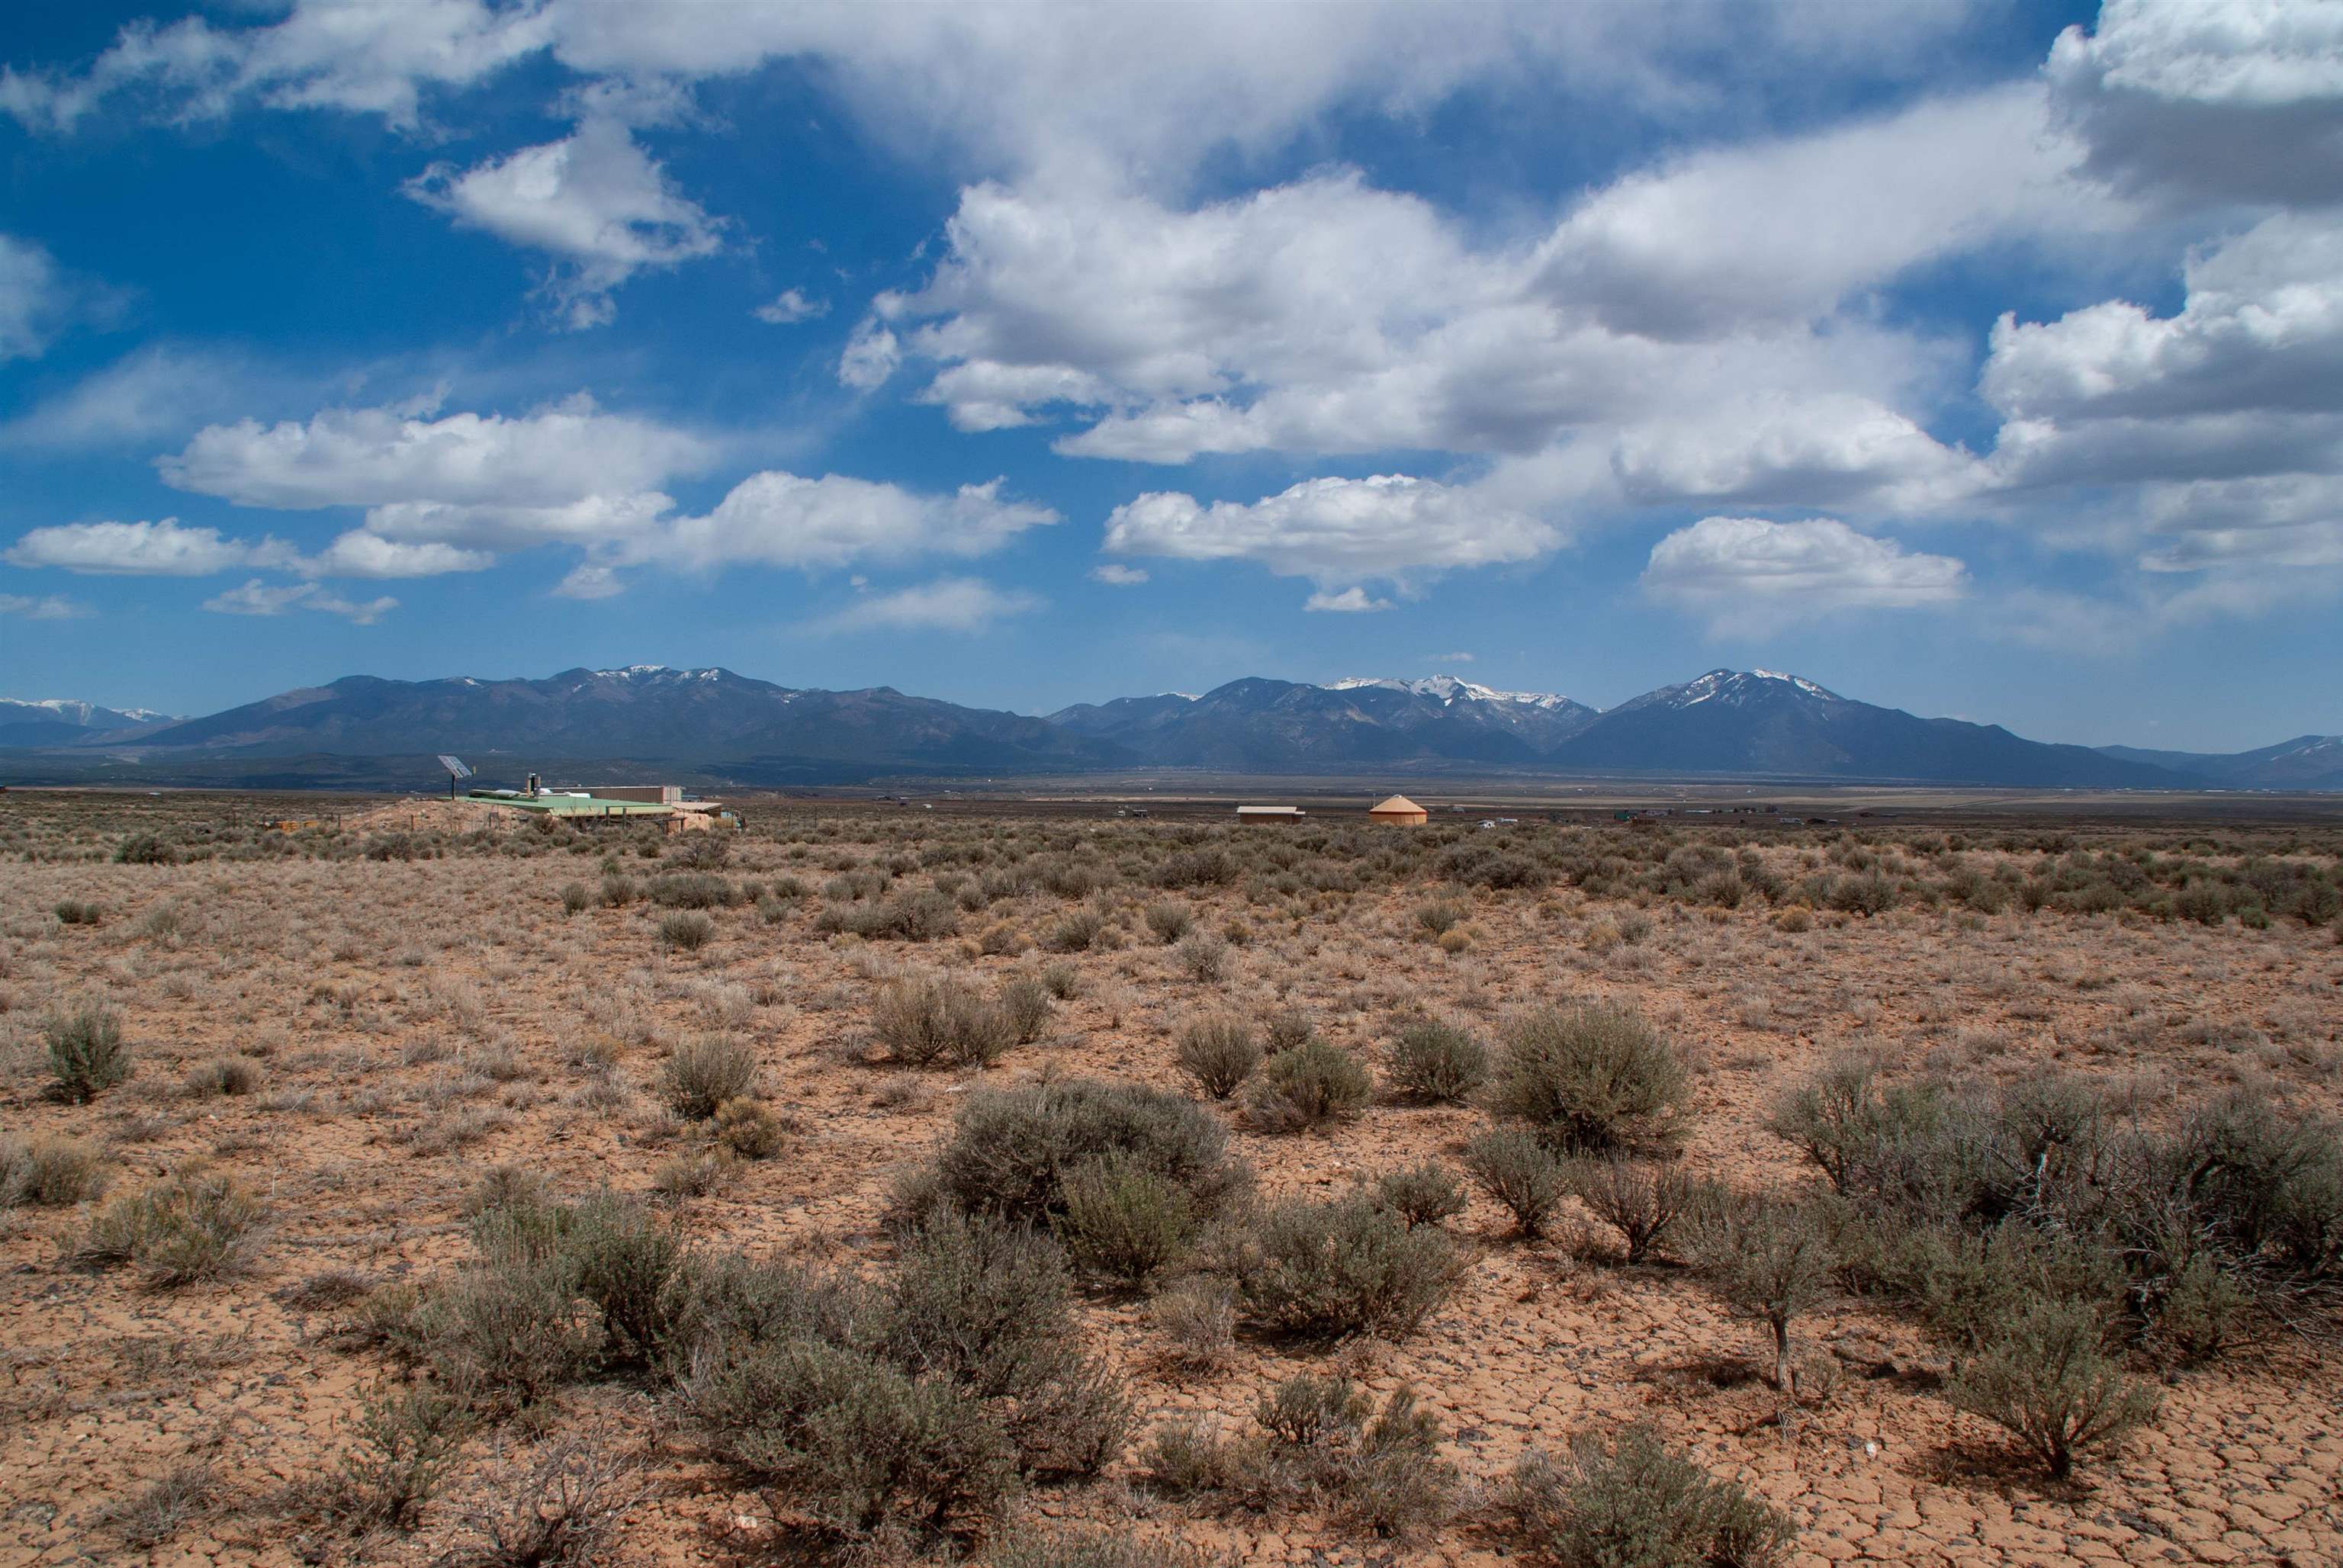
<point x="1972" y="1204"/>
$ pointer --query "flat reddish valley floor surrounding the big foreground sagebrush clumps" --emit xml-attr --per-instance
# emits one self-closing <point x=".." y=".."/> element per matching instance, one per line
<point x="364" y="1021"/>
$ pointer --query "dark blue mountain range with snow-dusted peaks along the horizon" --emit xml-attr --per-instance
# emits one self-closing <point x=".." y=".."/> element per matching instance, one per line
<point x="723" y="728"/>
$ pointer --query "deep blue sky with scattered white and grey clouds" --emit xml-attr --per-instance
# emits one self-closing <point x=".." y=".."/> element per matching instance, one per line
<point x="1967" y="360"/>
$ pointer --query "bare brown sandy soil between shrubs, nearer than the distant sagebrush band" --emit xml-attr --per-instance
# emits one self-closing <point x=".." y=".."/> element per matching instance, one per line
<point x="418" y="1023"/>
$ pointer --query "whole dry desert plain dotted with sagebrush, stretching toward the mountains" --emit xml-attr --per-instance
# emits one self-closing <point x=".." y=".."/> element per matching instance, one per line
<point x="355" y="1049"/>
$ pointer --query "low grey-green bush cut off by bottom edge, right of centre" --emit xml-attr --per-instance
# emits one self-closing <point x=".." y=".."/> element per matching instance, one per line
<point x="1637" y="1504"/>
